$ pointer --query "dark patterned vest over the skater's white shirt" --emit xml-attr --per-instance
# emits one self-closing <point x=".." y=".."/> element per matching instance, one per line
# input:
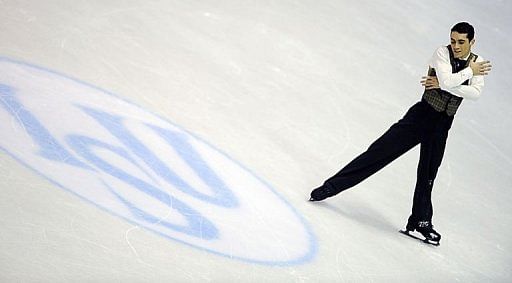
<point x="441" y="100"/>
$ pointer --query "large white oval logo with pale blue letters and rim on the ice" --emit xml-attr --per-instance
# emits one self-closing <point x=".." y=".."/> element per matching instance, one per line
<point x="144" y="169"/>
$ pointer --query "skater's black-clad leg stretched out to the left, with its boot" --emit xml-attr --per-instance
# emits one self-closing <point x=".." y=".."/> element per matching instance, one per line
<point x="400" y="138"/>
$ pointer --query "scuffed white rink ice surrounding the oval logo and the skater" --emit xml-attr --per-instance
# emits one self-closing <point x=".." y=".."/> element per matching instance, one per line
<point x="292" y="90"/>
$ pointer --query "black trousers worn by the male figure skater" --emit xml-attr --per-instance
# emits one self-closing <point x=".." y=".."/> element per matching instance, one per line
<point x="420" y="125"/>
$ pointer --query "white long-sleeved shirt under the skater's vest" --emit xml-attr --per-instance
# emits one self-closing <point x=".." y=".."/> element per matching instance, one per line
<point x="452" y="82"/>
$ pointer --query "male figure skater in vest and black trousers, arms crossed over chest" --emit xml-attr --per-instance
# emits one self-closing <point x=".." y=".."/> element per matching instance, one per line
<point x="454" y="73"/>
